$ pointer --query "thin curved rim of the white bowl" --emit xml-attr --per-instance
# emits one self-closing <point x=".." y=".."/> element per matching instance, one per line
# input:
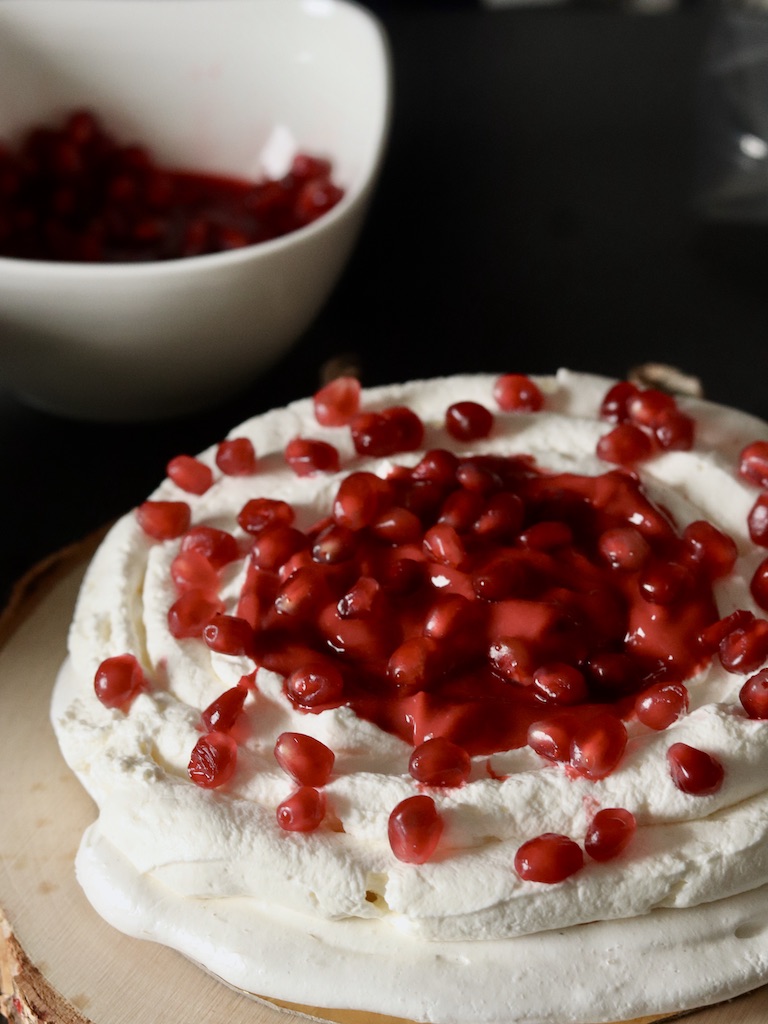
<point x="353" y="197"/>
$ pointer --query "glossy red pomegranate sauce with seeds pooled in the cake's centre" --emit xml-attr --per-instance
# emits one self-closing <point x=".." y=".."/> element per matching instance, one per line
<point x="476" y="636"/>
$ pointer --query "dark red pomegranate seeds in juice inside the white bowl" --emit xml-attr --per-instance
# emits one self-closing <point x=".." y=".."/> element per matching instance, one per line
<point x="73" y="193"/>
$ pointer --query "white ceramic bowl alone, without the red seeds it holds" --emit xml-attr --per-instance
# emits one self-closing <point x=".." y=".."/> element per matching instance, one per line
<point x="228" y="87"/>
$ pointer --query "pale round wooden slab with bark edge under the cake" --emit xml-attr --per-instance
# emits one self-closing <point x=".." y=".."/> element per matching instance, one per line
<point x="60" y="962"/>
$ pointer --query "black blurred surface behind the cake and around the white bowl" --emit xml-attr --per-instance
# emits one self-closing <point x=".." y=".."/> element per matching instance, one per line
<point x="535" y="210"/>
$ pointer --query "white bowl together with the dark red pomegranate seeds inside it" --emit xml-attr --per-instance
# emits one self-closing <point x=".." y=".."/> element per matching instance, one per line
<point x="181" y="188"/>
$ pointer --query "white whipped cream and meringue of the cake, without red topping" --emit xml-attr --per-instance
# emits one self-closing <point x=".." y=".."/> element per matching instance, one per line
<point x="219" y="855"/>
